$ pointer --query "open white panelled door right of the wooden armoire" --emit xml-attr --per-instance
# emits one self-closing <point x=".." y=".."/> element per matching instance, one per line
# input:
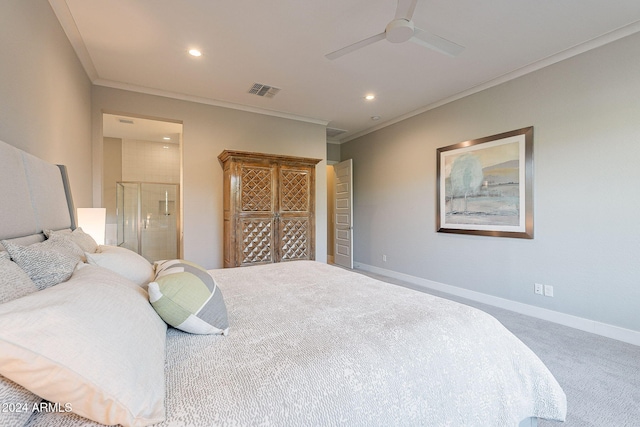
<point x="343" y="228"/>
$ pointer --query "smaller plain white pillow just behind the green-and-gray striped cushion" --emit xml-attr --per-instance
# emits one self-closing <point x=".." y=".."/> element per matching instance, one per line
<point x="124" y="262"/>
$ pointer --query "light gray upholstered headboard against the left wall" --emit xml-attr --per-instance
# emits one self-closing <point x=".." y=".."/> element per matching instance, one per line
<point x="34" y="196"/>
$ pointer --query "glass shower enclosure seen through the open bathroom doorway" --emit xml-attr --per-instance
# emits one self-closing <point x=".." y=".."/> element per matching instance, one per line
<point x="148" y="219"/>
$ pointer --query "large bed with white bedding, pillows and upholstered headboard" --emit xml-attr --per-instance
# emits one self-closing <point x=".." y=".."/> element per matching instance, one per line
<point x="305" y="344"/>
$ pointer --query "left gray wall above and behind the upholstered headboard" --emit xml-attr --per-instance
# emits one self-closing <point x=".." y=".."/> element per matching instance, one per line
<point x="45" y="95"/>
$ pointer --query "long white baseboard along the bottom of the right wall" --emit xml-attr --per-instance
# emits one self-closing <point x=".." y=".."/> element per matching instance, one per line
<point x="598" y="328"/>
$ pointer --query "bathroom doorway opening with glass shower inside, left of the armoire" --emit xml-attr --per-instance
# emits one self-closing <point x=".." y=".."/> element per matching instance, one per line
<point x="142" y="183"/>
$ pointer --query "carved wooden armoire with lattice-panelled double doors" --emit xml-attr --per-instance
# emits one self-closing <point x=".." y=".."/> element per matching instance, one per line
<point x="269" y="208"/>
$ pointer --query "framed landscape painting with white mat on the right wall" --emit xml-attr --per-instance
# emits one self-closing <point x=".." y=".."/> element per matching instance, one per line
<point x="485" y="186"/>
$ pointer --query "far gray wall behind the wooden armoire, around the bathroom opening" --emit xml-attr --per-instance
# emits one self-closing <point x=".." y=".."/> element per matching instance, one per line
<point x="207" y="131"/>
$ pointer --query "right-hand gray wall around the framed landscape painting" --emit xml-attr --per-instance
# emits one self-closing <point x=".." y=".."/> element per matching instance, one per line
<point x="586" y="117"/>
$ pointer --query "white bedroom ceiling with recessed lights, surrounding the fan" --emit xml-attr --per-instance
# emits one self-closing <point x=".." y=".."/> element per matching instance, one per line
<point x="142" y="45"/>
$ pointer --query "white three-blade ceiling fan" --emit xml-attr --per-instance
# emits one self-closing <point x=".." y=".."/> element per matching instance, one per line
<point x="401" y="29"/>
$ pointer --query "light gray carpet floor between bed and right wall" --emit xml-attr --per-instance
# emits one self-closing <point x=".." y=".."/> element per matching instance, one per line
<point x="600" y="376"/>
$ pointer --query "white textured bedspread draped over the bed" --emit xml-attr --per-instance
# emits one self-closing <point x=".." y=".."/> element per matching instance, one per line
<point x="314" y="345"/>
